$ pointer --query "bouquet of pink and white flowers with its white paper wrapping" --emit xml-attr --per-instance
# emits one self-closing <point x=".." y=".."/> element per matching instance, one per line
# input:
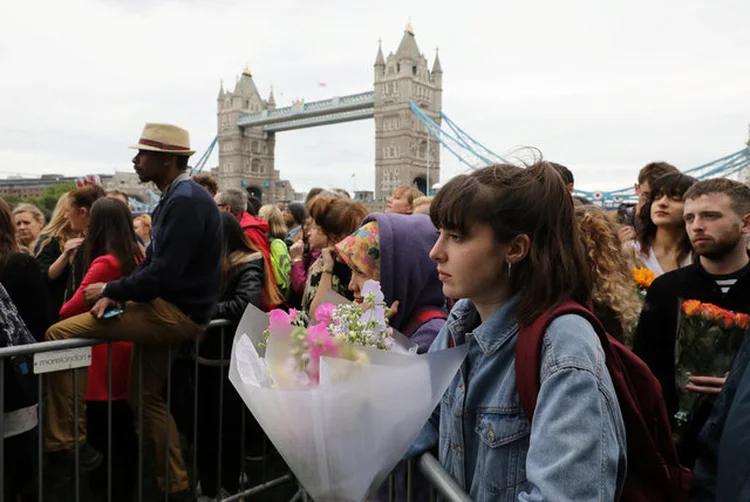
<point x="342" y="396"/>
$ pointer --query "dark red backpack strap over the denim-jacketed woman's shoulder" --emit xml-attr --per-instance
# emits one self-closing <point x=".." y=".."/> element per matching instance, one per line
<point x="529" y="350"/>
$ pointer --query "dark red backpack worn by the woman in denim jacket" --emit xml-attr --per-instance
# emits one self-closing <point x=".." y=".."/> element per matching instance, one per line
<point x="654" y="472"/>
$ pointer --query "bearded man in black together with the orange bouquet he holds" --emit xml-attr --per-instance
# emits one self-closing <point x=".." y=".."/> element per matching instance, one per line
<point x="692" y="308"/>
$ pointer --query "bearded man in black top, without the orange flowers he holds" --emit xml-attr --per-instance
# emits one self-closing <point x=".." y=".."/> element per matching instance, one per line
<point x="717" y="215"/>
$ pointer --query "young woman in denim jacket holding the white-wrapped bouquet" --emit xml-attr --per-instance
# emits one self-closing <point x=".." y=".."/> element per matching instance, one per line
<point x="509" y="246"/>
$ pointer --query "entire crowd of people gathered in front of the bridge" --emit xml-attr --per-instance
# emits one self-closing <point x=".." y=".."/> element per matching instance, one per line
<point x="494" y="251"/>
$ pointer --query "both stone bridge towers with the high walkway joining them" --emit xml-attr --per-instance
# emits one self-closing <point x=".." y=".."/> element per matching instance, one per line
<point x="405" y="151"/>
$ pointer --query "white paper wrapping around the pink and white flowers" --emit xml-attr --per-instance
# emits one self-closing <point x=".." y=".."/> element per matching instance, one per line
<point x="342" y="438"/>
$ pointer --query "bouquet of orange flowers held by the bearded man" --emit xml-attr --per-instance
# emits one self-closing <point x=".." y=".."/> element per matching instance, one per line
<point x="708" y="338"/>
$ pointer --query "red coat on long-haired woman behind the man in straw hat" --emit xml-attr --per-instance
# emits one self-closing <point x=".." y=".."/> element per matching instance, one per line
<point x="104" y="269"/>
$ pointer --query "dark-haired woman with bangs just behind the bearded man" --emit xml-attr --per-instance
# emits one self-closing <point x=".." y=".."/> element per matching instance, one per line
<point x="662" y="244"/>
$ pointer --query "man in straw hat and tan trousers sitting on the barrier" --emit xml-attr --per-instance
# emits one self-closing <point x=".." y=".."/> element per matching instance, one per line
<point x="167" y="300"/>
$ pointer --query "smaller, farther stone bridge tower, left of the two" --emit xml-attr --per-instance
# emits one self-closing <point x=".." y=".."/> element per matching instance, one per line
<point x="246" y="154"/>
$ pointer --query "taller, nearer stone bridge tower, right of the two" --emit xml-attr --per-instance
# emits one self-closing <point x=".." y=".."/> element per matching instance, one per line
<point x="405" y="153"/>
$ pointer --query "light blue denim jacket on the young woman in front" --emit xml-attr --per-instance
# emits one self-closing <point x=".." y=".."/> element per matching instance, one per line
<point x="575" y="448"/>
